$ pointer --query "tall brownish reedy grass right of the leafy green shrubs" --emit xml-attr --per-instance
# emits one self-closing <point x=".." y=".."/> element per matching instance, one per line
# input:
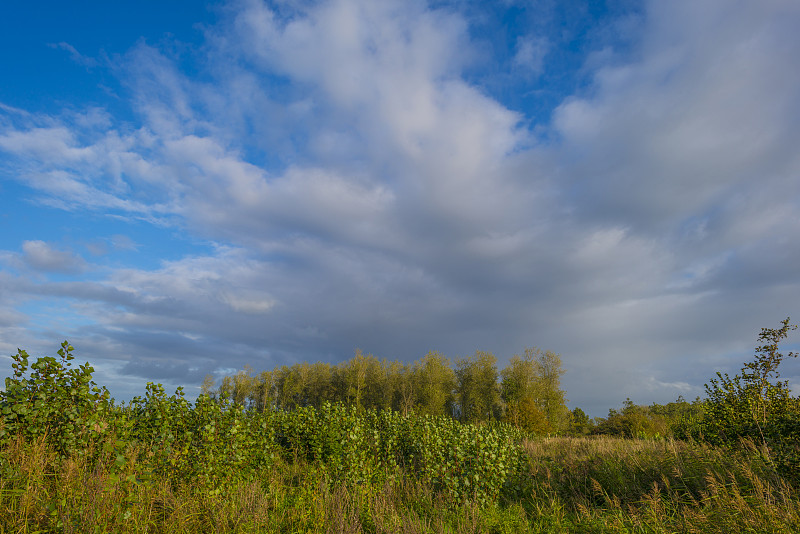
<point x="620" y="485"/>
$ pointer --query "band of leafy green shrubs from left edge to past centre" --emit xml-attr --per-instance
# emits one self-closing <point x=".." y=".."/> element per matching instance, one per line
<point x="170" y="439"/>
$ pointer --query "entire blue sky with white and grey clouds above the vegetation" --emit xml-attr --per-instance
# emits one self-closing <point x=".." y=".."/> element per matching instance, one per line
<point x="189" y="187"/>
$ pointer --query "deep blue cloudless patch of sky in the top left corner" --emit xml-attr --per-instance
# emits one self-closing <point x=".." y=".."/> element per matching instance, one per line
<point x="57" y="53"/>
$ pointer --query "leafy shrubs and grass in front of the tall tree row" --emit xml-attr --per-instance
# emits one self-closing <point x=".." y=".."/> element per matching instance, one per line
<point x="73" y="461"/>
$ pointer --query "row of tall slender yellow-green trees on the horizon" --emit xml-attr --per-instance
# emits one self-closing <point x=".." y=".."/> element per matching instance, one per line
<point x="526" y="393"/>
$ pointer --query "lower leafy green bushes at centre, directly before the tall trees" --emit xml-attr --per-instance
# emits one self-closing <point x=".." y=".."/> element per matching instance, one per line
<point x="365" y="447"/>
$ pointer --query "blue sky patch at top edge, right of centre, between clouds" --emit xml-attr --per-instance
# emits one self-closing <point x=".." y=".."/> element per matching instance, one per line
<point x="567" y="33"/>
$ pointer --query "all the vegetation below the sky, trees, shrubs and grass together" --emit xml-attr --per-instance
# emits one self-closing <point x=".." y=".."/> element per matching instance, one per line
<point x="273" y="454"/>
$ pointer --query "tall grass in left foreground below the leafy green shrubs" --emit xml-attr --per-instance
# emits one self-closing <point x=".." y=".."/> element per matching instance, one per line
<point x="40" y="492"/>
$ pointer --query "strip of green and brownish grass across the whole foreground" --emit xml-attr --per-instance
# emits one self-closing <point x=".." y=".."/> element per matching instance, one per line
<point x="569" y="485"/>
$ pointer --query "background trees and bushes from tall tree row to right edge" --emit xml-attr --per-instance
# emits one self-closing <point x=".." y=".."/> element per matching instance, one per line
<point x="527" y="394"/>
